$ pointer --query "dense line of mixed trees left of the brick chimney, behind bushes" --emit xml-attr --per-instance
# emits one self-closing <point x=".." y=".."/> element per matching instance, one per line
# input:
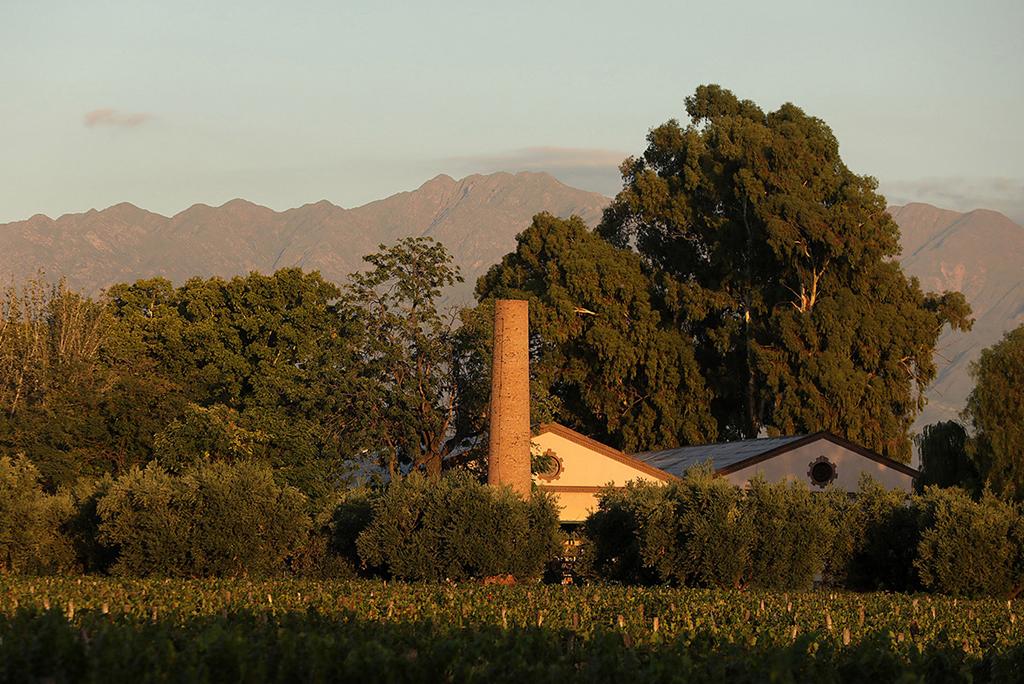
<point x="286" y="369"/>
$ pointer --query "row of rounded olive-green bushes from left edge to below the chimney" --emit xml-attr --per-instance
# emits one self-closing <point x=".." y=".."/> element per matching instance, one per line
<point x="230" y="520"/>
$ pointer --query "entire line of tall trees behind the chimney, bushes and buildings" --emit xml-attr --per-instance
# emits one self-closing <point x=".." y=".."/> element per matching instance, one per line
<point x="743" y="282"/>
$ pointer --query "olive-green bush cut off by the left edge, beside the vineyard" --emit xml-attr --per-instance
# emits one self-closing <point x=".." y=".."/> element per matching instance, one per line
<point x="30" y="519"/>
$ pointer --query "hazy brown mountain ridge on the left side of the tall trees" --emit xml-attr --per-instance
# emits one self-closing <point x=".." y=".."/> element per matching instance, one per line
<point x="477" y="219"/>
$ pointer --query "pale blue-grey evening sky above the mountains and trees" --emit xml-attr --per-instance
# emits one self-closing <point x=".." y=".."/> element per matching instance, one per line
<point x="284" y="103"/>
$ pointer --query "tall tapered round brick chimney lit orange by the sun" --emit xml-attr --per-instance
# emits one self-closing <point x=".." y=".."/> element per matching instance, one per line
<point x="510" y="436"/>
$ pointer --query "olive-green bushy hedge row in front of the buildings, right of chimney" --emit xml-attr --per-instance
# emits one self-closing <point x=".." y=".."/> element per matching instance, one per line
<point x="703" y="532"/>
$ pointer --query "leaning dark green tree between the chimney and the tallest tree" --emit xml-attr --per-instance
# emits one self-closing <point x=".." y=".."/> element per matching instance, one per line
<point x="602" y="347"/>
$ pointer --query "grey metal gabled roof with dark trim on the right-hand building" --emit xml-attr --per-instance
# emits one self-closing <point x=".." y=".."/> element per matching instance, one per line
<point x="730" y="457"/>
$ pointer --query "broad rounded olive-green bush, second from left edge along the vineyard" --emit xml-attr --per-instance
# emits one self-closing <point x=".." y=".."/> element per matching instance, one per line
<point x="216" y="520"/>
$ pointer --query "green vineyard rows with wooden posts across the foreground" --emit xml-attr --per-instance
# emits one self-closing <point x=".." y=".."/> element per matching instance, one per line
<point x="93" y="630"/>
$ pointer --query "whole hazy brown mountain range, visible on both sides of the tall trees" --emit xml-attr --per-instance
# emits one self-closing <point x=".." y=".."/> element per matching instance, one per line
<point x="477" y="219"/>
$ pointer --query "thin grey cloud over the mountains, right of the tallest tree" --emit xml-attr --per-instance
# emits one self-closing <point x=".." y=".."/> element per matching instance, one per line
<point x="963" y="195"/>
